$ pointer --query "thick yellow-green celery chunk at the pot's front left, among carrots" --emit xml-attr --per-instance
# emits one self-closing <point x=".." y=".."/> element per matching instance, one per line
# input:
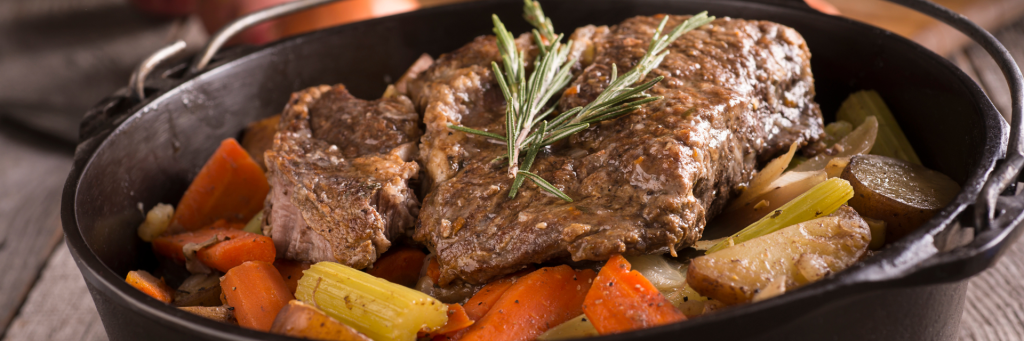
<point x="380" y="310"/>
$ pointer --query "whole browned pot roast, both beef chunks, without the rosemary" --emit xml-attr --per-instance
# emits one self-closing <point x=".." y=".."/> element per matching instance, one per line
<point x="736" y="94"/>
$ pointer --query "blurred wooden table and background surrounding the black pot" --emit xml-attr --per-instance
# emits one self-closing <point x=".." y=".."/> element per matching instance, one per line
<point x="60" y="58"/>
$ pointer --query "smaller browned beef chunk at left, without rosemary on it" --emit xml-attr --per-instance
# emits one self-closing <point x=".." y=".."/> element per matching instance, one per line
<point x="339" y="173"/>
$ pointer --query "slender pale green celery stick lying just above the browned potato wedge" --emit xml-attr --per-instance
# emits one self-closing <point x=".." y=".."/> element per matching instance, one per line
<point x="821" y="201"/>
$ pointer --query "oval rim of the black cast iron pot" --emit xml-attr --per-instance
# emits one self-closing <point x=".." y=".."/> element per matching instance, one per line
<point x="867" y="276"/>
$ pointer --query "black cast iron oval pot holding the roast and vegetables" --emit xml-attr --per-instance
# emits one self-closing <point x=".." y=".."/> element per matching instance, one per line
<point x="144" y="149"/>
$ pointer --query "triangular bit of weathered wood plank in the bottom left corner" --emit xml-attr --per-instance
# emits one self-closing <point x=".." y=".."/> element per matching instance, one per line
<point x="59" y="307"/>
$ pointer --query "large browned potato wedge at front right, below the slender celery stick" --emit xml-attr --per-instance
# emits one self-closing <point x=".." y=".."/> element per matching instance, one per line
<point x="800" y="254"/>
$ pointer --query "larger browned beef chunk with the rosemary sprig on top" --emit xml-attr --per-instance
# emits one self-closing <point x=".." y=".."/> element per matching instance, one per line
<point x="736" y="93"/>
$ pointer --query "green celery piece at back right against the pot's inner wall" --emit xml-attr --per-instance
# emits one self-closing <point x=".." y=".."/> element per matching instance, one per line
<point x="891" y="141"/>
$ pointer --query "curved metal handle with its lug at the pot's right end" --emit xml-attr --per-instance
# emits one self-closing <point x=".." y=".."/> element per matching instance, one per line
<point x="998" y="216"/>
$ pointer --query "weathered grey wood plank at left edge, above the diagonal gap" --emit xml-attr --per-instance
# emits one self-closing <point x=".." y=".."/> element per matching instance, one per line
<point x="32" y="175"/>
